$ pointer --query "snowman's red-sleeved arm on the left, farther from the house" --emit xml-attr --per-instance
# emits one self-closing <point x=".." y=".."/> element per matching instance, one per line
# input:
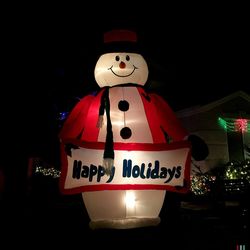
<point x="75" y="122"/>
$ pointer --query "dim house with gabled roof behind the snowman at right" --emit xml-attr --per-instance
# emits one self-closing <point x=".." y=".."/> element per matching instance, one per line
<point x="224" y="125"/>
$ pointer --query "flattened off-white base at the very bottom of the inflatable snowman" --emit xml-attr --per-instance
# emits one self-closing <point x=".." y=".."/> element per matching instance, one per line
<point x="125" y="223"/>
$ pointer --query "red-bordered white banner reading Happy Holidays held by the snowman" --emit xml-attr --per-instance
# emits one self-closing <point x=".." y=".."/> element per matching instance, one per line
<point x="149" y="166"/>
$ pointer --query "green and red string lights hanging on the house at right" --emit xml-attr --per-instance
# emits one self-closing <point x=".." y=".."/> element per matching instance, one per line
<point x="235" y="125"/>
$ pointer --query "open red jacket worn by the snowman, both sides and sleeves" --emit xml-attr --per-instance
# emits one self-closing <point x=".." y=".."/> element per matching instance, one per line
<point x="82" y="120"/>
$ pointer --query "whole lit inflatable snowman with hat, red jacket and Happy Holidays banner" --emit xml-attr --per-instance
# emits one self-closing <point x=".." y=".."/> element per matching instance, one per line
<point x="122" y="148"/>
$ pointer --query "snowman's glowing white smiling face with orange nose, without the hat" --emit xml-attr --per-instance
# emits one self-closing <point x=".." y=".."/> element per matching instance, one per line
<point x="120" y="68"/>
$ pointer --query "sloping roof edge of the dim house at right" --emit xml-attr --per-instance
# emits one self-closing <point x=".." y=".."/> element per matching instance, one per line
<point x="200" y="109"/>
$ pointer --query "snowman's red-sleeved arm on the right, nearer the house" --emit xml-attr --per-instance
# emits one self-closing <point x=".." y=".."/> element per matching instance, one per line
<point x="167" y="118"/>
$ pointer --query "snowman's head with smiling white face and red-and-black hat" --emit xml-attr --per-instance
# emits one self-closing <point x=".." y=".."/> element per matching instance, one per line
<point x="121" y="63"/>
